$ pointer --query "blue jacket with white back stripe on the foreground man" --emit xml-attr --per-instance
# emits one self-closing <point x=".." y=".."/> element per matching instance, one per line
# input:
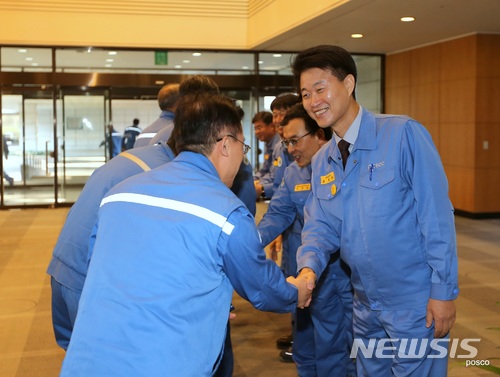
<point x="150" y="303"/>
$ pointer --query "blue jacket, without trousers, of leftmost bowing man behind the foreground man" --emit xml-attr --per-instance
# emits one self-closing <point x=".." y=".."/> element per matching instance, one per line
<point x="69" y="258"/>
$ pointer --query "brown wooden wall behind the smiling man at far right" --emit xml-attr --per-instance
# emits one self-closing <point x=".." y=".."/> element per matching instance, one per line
<point x="453" y="88"/>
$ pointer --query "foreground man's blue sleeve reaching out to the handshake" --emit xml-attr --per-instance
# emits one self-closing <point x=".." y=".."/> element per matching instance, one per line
<point x="255" y="278"/>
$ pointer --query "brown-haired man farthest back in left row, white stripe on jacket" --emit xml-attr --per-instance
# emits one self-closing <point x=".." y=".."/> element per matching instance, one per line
<point x="167" y="100"/>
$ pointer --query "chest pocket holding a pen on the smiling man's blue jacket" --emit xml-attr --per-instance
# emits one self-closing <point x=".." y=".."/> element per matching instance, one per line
<point x="378" y="193"/>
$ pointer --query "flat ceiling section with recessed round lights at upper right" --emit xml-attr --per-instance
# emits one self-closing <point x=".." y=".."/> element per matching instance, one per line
<point x="384" y="33"/>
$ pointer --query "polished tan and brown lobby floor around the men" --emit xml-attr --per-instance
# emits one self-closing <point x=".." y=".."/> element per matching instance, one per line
<point x="27" y="347"/>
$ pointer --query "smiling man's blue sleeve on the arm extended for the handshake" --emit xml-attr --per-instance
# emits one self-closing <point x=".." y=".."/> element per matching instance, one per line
<point x="320" y="236"/>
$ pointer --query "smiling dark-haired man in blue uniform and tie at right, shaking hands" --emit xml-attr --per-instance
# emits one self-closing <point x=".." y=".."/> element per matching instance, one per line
<point x="389" y="213"/>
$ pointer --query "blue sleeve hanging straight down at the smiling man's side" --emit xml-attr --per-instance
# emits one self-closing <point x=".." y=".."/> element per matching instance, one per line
<point x="424" y="172"/>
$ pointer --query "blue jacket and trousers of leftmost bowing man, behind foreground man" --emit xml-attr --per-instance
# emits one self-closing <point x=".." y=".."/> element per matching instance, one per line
<point x="68" y="266"/>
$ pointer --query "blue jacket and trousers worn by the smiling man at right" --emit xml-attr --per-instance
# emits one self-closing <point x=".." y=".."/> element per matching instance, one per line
<point x="390" y="215"/>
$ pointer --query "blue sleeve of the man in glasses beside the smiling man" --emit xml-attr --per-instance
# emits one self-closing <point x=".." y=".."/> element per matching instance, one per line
<point x="280" y="215"/>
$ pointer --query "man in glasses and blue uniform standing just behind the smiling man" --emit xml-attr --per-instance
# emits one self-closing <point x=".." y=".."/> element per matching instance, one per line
<point x="322" y="332"/>
